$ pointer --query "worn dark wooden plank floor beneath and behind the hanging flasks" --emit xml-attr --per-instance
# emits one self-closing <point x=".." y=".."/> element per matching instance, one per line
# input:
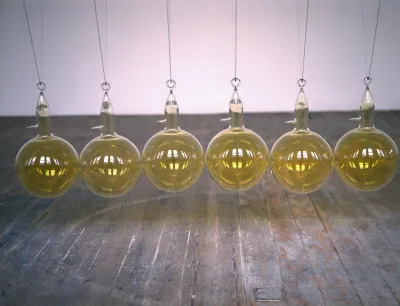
<point x="205" y="246"/>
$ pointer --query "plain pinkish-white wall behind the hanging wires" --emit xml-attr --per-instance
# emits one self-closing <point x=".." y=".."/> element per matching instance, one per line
<point x="202" y="46"/>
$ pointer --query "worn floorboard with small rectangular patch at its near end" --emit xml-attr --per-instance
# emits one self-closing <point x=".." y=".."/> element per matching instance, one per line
<point x="260" y="264"/>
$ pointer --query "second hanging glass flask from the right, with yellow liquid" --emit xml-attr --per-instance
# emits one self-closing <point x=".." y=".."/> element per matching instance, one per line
<point x="301" y="160"/>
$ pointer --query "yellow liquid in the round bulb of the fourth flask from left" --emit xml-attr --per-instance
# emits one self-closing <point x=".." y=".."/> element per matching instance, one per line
<point x="237" y="158"/>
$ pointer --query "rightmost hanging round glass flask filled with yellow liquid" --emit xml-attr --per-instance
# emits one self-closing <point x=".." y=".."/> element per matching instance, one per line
<point x="366" y="158"/>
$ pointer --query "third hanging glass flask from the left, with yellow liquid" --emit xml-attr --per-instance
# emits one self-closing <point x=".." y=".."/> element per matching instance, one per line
<point x="173" y="158"/>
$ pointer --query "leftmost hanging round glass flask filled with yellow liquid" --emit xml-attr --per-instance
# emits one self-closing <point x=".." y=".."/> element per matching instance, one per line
<point x="46" y="165"/>
